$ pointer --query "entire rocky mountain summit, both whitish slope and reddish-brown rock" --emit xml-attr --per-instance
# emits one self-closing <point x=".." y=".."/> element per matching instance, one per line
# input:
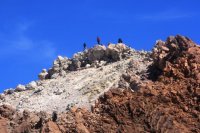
<point x="111" y="89"/>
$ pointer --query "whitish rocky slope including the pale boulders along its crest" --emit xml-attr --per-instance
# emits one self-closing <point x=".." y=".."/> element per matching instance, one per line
<point x="70" y="83"/>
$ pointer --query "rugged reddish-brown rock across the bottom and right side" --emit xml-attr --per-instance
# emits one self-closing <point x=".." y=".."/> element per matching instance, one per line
<point x="169" y="103"/>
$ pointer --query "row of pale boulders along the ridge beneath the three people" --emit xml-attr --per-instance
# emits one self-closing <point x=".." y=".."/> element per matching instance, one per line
<point x="95" y="57"/>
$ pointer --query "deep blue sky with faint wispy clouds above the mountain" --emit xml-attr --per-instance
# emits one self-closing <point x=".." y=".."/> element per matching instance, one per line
<point x="34" y="32"/>
